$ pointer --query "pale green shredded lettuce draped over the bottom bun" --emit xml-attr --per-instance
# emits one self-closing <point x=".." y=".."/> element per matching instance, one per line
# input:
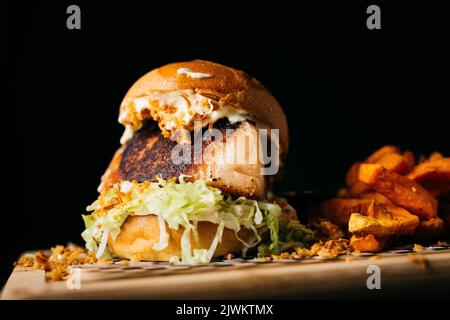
<point x="178" y="204"/>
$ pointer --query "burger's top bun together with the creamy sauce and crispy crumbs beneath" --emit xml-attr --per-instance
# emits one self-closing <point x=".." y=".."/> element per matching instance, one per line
<point x="211" y="87"/>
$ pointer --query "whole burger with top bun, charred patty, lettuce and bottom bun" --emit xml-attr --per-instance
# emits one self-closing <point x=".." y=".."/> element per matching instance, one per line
<point x="155" y="205"/>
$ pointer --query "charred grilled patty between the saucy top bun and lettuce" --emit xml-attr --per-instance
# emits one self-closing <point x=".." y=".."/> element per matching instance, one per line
<point x="148" y="155"/>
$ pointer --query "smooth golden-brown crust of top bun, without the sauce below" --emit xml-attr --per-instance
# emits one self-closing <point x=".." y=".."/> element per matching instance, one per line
<point x="230" y="86"/>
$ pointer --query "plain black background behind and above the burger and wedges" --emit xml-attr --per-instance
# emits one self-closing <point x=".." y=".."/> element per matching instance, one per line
<point x="346" y="90"/>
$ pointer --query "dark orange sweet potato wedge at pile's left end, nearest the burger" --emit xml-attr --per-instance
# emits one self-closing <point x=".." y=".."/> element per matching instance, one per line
<point x="338" y="210"/>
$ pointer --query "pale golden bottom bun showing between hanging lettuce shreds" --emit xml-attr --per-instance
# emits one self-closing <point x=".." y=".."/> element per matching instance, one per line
<point x="139" y="234"/>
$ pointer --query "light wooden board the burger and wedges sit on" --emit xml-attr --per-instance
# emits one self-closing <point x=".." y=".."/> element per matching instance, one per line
<point x="240" y="278"/>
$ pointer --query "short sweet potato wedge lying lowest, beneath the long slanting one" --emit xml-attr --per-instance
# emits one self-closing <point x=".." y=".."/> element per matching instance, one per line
<point x="383" y="221"/>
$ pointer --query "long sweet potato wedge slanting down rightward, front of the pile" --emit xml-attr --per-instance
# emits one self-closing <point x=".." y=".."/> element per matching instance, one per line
<point x="400" y="190"/>
